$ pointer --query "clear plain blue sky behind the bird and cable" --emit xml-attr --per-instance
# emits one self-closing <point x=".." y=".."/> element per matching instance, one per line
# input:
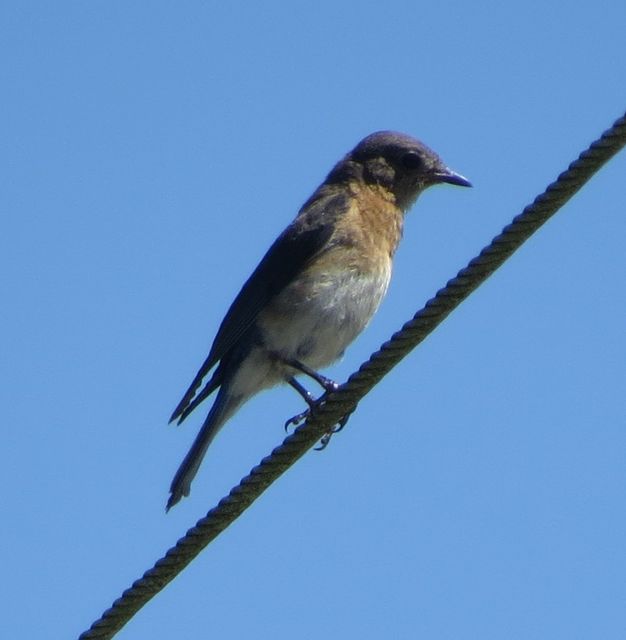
<point x="150" y="154"/>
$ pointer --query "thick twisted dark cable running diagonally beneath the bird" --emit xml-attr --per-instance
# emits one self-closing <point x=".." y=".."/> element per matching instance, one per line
<point x="360" y="383"/>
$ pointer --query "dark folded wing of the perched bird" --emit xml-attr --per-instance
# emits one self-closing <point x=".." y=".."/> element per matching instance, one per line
<point x="299" y="243"/>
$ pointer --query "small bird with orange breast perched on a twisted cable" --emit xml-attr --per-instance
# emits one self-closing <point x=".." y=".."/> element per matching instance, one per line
<point x="315" y="289"/>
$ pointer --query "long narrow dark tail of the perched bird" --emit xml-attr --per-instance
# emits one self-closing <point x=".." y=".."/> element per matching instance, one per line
<point x="223" y="408"/>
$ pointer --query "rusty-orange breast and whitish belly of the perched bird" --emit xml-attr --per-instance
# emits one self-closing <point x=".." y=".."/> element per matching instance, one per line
<point x="332" y="300"/>
